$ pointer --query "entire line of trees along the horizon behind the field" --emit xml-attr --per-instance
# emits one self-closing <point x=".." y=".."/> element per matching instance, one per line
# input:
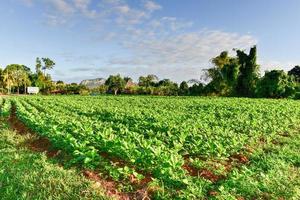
<point x="236" y="76"/>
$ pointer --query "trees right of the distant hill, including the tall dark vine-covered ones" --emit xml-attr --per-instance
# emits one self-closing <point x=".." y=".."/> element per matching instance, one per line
<point x="235" y="76"/>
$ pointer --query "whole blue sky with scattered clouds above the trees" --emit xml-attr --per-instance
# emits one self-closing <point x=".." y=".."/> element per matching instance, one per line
<point x="170" y="38"/>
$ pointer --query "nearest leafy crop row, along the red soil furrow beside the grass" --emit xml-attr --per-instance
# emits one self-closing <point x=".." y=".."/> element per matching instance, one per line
<point x="77" y="137"/>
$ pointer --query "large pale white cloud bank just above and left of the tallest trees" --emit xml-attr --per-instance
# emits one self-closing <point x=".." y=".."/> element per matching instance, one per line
<point x="188" y="48"/>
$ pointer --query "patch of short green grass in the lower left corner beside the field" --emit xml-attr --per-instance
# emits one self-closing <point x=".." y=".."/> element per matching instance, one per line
<point x="30" y="175"/>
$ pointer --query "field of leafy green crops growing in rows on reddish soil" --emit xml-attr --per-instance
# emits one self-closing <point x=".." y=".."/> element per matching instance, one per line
<point x="174" y="147"/>
